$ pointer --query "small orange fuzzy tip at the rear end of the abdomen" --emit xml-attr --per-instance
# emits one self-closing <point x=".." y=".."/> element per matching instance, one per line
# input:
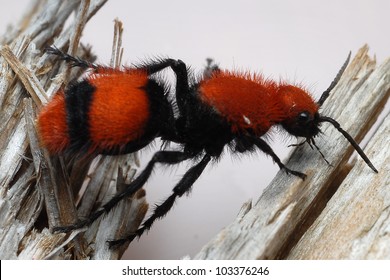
<point x="52" y="126"/>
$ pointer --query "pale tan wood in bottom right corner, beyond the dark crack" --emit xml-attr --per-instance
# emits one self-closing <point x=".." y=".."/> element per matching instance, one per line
<point x="356" y="221"/>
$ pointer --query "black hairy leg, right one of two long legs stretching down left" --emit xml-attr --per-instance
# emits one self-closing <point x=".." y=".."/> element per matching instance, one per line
<point x="184" y="186"/>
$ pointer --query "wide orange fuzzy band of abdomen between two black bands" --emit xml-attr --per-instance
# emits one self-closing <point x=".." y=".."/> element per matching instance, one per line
<point x="119" y="110"/>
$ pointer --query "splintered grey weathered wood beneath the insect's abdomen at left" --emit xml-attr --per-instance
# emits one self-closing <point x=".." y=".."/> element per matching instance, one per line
<point x="38" y="192"/>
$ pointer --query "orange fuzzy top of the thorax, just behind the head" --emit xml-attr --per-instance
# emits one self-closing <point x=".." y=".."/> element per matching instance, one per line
<point x="245" y="101"/>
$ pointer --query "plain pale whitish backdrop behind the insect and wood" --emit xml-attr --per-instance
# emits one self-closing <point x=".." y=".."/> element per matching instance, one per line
<point x="301" y="41"/>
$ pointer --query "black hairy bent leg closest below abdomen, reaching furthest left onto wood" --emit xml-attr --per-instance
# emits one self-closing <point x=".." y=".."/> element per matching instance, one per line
<point x="164" y="157"/>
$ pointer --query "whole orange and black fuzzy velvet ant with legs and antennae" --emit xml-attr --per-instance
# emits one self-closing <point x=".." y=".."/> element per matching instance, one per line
<point x="120" y="111"/>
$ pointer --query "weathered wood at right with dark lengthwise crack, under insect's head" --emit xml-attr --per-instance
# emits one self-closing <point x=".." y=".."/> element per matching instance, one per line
<point x="295" y="219"/>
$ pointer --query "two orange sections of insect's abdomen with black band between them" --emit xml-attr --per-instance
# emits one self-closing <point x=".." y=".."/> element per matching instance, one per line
<point x="102" y="113"/>
